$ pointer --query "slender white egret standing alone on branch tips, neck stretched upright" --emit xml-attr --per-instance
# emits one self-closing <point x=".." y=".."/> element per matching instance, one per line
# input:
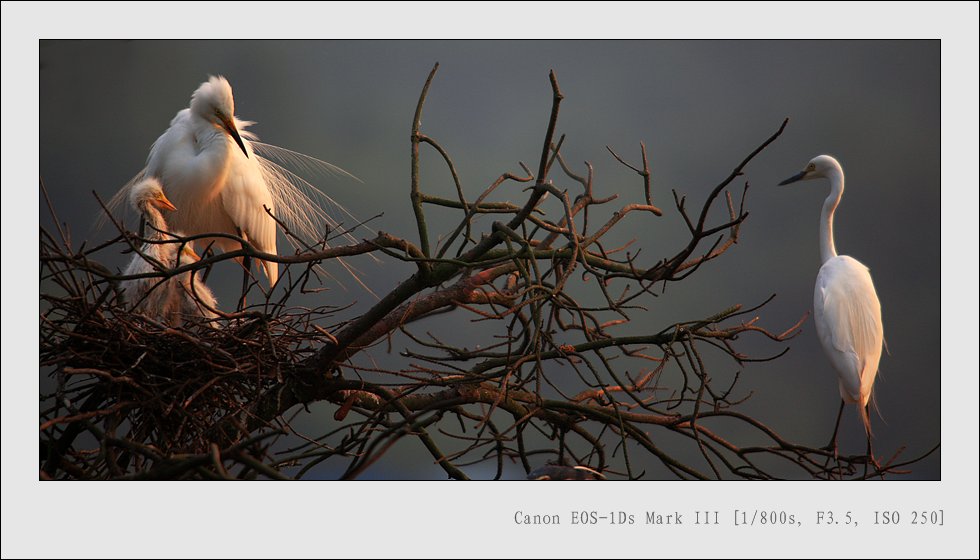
<point x="845" y="306"/>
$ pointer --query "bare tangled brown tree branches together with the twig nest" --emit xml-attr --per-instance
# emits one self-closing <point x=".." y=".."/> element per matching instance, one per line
<point x="558" y="384"/>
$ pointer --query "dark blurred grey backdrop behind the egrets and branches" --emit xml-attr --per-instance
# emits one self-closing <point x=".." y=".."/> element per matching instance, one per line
<point x="700" y="107"/>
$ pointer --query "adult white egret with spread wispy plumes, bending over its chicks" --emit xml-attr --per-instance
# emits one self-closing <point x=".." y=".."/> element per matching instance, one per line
<point x="208" y="166"/>
